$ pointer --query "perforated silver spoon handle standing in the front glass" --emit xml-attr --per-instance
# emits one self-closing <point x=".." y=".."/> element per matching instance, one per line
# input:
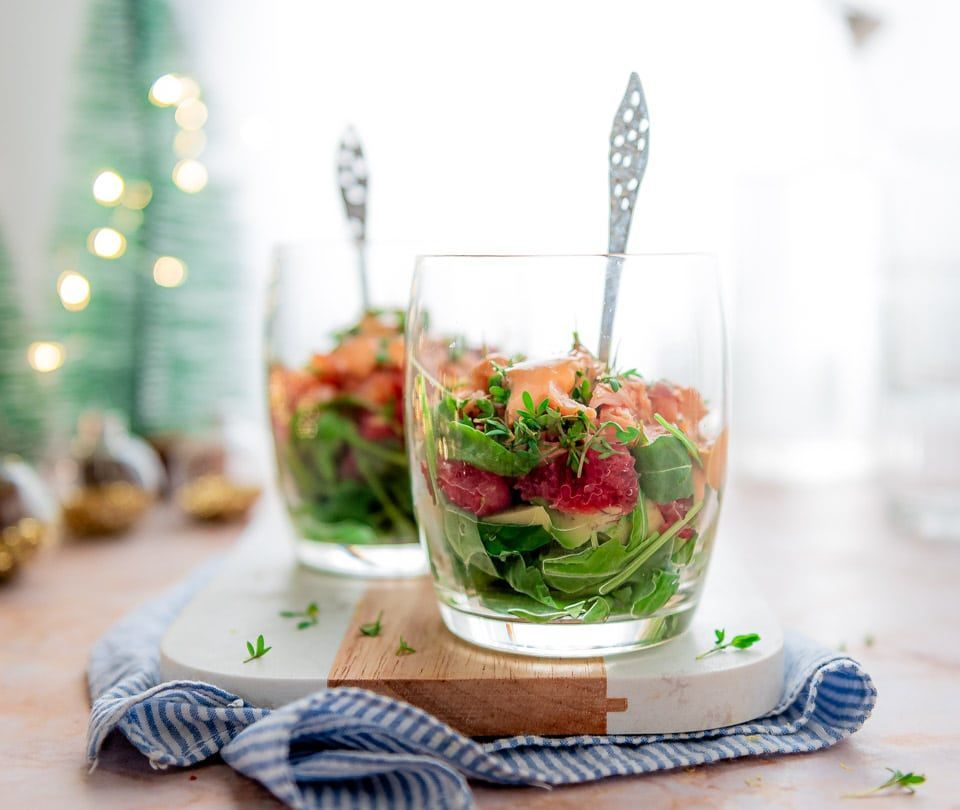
<point x="629" y="148"/>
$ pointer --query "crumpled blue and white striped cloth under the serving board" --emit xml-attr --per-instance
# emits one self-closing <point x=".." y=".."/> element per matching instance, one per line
<point x="353" y="748"/>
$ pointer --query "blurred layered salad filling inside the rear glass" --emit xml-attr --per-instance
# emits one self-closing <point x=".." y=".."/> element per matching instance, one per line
<point x="338" y="427"/>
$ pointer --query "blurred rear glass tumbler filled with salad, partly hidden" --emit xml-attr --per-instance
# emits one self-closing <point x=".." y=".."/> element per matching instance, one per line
<point x="336" y="407"/>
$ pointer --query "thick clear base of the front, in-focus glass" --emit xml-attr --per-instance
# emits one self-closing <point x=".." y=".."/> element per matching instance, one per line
<point x="566" y="639"/>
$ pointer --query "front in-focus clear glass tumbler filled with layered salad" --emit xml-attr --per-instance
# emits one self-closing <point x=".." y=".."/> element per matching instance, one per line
<point x="568" y="505"/>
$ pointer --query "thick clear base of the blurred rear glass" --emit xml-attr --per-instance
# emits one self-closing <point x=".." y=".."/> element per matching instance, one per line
<point x="386" y="561"/>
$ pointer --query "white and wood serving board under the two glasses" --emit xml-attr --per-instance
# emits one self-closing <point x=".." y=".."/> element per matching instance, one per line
<point x="478" y="692"/>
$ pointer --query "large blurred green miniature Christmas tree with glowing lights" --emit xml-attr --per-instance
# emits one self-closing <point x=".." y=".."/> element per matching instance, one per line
<point x="146" y="272"/>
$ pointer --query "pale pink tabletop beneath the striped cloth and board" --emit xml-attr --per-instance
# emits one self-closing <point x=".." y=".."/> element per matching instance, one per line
<point x="841" y="573"/>
